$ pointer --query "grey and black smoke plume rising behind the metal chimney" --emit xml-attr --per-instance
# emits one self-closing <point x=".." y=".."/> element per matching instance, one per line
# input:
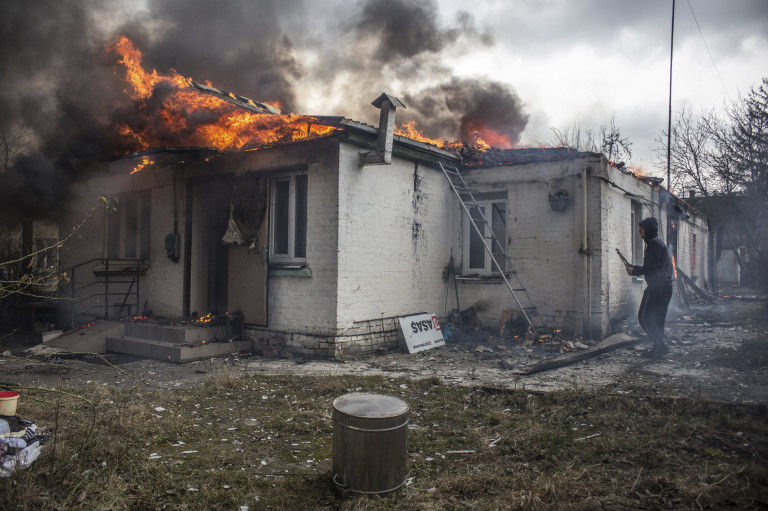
<point x="405" y="48"/>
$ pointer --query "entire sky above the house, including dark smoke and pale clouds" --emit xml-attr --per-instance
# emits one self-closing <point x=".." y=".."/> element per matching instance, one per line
<point x="520" y="67"/>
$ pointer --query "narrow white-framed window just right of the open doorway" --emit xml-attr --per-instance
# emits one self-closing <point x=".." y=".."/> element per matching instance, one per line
<point x="288" y="242"/>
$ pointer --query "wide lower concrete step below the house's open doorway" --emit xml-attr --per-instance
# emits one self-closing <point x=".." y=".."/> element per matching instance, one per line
<point x="175" y="352"/>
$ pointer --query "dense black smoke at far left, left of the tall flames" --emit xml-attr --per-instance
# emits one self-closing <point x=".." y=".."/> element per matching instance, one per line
<point x="57" y="91"/>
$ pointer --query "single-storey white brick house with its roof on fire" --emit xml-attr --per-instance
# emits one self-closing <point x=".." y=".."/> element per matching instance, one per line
<point x="323" y="231"/>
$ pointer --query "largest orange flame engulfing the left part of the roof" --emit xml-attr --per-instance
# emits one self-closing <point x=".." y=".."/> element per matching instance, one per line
<point x="170" y="110"/>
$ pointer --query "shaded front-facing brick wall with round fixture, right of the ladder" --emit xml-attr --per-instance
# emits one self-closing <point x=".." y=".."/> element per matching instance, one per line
<point x="543" y="244"/>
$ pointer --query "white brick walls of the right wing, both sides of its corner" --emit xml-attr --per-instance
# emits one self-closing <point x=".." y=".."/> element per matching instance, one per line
<point x="544" y="245"/>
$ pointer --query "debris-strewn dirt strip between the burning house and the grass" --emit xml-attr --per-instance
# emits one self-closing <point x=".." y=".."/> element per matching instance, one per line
<point x="720" y="353"/>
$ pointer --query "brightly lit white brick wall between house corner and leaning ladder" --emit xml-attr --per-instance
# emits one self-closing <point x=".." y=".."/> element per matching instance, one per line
<point x="394" y="241"/>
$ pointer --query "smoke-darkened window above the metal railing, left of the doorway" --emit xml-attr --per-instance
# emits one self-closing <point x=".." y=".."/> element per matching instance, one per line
<point x="128" y="228"/>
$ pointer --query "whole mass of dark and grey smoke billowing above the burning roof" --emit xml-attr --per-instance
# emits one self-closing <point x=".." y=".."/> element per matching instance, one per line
<point x="62" y="89"/>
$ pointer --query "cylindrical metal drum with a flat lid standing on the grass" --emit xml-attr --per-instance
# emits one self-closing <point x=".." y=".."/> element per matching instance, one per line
<point x="369" y="442"/>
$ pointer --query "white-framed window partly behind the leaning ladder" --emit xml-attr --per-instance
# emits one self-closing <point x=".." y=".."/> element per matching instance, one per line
<point x="476" y="257"/>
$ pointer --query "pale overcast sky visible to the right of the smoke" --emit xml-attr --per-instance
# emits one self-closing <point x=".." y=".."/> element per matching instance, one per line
<point x="582" y="62"/>
